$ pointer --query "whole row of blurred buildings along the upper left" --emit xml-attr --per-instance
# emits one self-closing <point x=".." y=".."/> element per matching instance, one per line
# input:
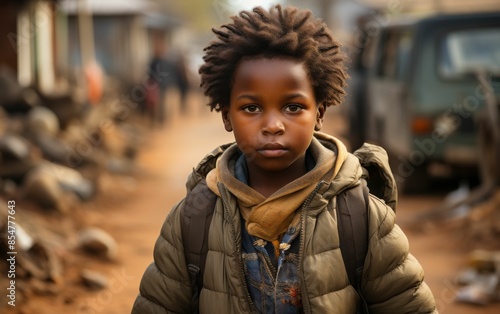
<point x="40" y="40"/>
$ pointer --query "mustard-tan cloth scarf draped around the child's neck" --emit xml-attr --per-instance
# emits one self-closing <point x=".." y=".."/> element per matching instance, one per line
<point x="268" y="218"/>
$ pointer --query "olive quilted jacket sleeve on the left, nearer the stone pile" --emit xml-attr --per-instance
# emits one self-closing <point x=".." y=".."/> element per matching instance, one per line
<point x="165" y="286"/>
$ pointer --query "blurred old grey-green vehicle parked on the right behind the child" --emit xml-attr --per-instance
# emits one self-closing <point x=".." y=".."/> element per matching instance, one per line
<point x="423" y="99"/>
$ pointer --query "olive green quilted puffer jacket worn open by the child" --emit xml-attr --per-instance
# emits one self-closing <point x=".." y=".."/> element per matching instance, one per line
<point x="392" y="280"/>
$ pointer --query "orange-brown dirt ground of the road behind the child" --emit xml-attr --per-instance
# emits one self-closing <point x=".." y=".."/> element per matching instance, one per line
<point x="134" y="209"/>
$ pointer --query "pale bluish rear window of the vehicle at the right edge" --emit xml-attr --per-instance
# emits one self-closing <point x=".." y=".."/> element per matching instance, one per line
<point x="466" y="51"/>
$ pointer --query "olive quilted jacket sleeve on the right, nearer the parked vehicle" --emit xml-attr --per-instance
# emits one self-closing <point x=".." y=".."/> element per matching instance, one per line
<point x="393" y="280"/>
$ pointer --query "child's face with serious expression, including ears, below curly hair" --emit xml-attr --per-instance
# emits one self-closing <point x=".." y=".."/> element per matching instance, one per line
<point x="272" y="112"/>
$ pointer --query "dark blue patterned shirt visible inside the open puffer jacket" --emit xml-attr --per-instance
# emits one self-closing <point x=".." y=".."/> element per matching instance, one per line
<point x="273" y="283"/>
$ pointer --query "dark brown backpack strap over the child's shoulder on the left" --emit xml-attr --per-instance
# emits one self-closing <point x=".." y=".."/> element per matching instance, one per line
<point x="197" y="216"/>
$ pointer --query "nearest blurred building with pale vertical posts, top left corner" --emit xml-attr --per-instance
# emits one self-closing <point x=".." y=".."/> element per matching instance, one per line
<point x="29" y="42"/>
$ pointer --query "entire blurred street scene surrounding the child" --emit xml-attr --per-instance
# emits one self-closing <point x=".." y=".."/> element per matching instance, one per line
<point x="102" y="119"/>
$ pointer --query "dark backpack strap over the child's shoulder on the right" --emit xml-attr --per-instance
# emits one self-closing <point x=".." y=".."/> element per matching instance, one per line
<point x="352" y="226"/>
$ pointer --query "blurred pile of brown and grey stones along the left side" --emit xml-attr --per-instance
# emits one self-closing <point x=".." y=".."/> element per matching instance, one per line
<point x="55" y="152"/>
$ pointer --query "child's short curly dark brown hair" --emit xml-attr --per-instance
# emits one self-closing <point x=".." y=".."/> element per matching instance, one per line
<point x="280" y="32"/>
